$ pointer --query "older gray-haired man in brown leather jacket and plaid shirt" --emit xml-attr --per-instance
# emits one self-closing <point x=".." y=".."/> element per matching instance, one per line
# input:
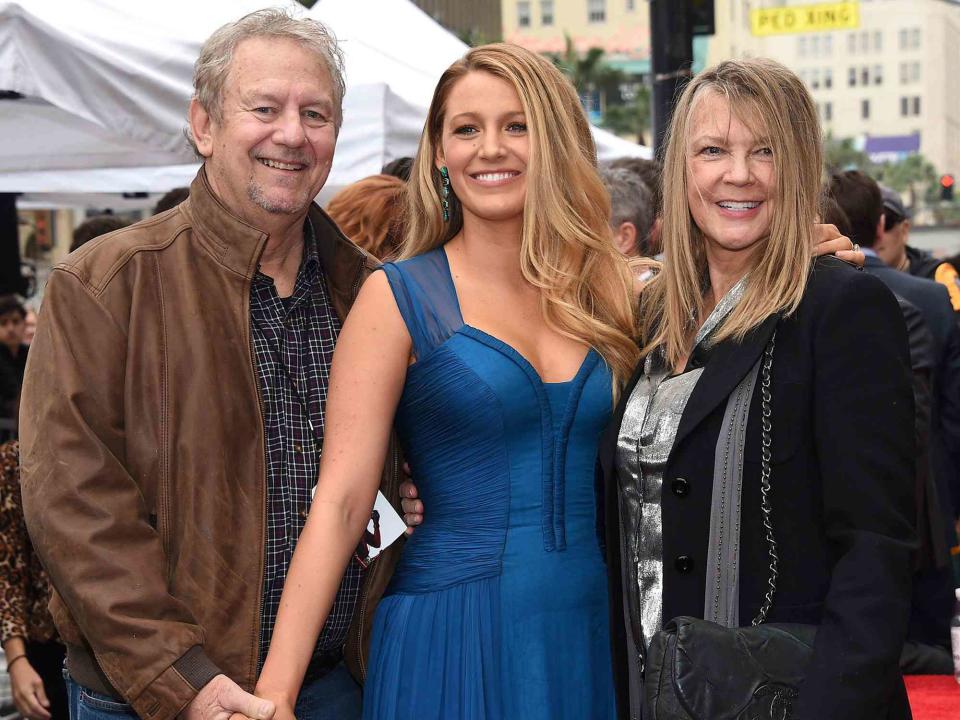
<point x="173" y="412"/>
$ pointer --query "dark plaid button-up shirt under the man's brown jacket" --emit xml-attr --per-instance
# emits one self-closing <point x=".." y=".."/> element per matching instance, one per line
<point x="293" y="340"/>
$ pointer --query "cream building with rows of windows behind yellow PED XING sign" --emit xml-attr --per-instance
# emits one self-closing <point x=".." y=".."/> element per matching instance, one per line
<point x="888" y="83"/>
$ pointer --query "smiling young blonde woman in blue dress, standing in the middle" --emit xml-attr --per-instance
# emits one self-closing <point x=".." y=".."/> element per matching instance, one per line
<point x="495" y="345"/>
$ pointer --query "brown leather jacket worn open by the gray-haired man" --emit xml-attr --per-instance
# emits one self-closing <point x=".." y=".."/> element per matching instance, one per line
<point x="142" y="453"/>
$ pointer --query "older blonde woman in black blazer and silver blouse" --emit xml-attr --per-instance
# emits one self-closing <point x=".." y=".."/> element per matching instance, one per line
<point x="741" y="185"/>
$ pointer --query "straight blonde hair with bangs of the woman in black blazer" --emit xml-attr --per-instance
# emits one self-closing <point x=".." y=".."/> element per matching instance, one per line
<point x="773" y="100"/>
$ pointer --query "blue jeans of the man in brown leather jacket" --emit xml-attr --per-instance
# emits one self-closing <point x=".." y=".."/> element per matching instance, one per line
<point x="336" y="696"/>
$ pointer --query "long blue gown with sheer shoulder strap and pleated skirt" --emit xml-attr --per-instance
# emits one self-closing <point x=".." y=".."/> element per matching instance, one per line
<point x="498" y="607"/>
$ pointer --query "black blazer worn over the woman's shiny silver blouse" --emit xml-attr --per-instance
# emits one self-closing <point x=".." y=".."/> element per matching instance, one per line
<point x="842" y="492"/>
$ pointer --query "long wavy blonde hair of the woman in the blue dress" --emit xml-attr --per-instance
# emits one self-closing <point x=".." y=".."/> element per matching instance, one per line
<point x="566" y="250"/>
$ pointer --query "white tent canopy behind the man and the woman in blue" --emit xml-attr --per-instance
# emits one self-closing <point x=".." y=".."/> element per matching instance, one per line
<point x="106" y="83"/>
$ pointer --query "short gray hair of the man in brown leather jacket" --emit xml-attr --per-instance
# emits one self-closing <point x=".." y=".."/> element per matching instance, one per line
<point x="211" y="69"/>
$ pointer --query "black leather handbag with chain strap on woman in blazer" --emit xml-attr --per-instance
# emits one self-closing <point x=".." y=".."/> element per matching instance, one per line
<point x="700" y="670"/>
